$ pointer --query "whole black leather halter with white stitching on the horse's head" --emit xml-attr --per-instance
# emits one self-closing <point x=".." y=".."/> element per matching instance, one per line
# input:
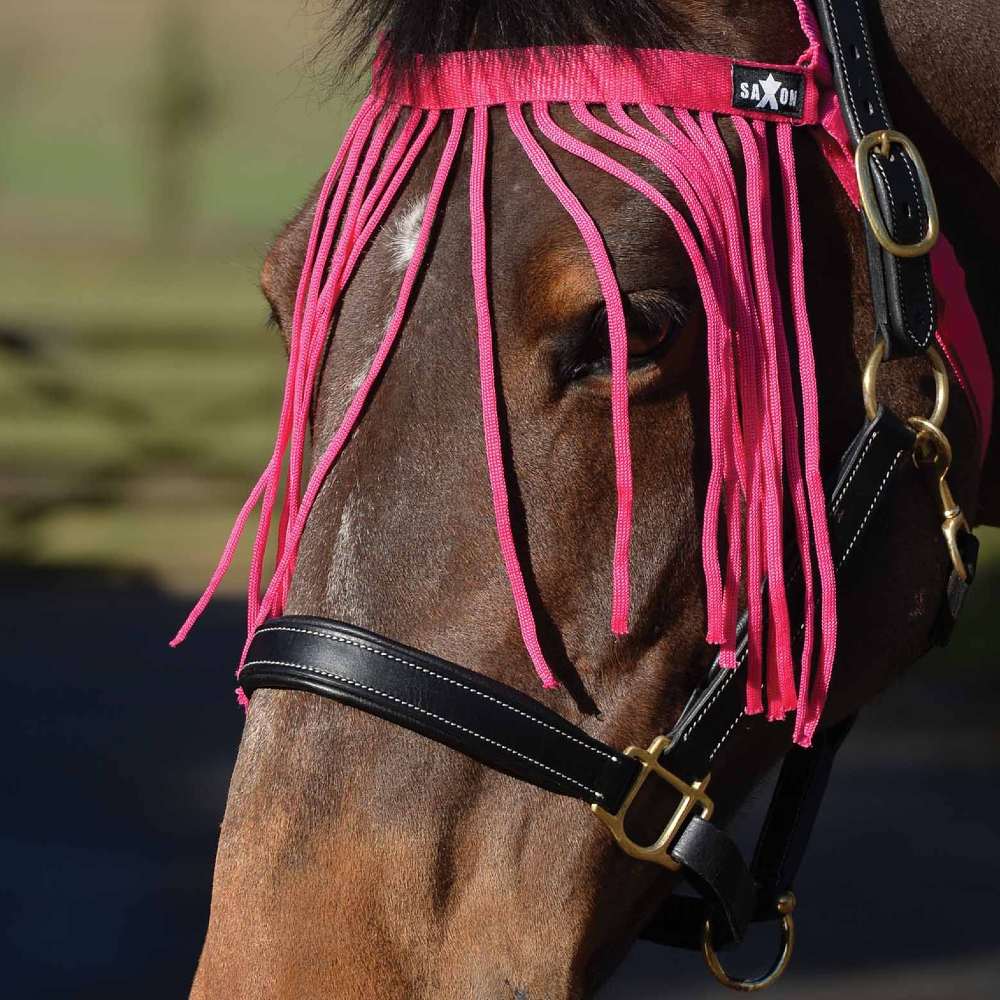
<point x="513" y="733"/>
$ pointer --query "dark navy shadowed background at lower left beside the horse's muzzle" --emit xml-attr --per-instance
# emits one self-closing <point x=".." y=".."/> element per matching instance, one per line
<point x="118" y="754"/>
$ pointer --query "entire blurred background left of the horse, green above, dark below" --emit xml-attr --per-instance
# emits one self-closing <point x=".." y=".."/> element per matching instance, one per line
<point x="149" y="149"/>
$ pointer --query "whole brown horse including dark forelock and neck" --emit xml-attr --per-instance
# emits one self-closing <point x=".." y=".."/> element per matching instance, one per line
<point x="357" y="859"/>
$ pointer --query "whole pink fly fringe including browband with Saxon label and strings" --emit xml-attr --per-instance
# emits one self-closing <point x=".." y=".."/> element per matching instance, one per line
<point x="664" y="106"/>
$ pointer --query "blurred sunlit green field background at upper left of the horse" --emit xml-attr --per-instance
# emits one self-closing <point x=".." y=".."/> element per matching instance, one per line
<point x="148" y="150"/>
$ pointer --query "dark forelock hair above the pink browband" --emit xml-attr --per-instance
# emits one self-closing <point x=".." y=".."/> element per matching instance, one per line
<point x="428" y="28"/>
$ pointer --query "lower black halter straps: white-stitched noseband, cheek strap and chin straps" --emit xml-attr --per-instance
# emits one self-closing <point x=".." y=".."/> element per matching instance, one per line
<point x="515" y="734"/>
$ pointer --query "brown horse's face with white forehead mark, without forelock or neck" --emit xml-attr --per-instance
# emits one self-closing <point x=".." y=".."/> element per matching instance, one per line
<point x="358" y="859"/>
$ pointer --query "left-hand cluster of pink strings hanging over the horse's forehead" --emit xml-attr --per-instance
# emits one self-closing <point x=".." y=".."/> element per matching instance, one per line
<point x="349" y="210"/>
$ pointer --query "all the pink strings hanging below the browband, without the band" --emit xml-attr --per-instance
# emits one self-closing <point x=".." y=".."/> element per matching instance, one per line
<point x="764" y="436"/>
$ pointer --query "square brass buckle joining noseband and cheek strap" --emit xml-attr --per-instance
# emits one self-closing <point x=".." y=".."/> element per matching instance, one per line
<point x="692" y="797"/>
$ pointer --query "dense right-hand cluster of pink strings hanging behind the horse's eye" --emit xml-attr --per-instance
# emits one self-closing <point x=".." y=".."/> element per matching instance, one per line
<point x="758" y="443"/>
